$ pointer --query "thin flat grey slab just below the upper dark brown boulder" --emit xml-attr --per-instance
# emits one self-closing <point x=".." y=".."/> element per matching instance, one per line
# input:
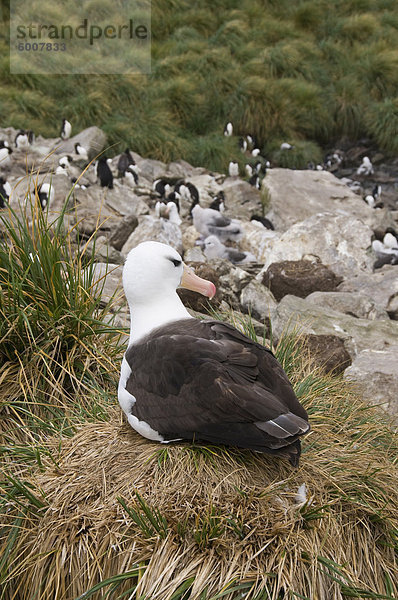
<point x="350" y="303"/>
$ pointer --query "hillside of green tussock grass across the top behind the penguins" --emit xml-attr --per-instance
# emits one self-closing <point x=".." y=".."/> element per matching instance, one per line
<point x="309" y="72"/>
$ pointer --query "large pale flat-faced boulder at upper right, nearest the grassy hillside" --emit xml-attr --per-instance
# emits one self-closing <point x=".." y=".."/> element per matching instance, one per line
<point x="297" y="195"/>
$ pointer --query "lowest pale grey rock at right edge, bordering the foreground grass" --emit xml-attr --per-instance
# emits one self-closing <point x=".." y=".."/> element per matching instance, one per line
<point x="375" y="372"/>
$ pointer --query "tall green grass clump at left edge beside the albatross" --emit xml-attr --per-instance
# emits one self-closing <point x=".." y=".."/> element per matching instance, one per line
<point x="54" y="342"/>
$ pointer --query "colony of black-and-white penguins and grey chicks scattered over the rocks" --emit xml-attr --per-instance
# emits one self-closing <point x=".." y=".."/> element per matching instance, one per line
<point x="172" y="194"/>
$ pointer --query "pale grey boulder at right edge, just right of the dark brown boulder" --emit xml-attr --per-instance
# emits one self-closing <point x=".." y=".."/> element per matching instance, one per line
<point x="381" y="286"/>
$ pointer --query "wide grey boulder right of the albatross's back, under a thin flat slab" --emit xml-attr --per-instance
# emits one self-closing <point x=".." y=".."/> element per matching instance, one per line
<point x="296" y="314"/>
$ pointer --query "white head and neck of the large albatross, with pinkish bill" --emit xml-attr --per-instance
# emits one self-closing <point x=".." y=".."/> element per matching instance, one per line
<point x="151" y="275"/>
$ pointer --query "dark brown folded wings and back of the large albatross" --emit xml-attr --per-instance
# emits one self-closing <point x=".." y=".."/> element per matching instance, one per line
<point x="206" y="381"/>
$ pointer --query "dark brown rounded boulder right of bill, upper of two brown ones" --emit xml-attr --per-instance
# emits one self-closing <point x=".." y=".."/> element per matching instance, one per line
<point x="299" y="277"/>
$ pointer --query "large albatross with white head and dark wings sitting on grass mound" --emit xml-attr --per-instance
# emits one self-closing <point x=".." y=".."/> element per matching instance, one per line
<point x="204" y="381"/>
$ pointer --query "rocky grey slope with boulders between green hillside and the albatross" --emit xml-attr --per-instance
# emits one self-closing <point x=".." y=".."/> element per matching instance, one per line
<point x="314" y="271"/>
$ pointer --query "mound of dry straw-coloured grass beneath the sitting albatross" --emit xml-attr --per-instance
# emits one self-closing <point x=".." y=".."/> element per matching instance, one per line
<point x="199" y="518"/>
